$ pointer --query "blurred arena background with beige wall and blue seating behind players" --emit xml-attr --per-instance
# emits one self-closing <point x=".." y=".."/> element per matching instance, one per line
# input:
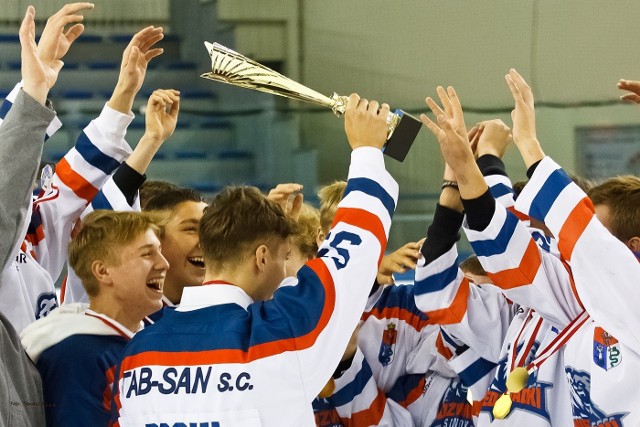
<point x="572" y="53"/>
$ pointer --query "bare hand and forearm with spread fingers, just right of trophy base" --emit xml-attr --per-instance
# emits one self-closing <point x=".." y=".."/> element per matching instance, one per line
<point x="451" y="133"/>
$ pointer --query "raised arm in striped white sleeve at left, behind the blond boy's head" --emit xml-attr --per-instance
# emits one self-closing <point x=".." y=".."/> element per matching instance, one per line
<point x="84" y="170"/>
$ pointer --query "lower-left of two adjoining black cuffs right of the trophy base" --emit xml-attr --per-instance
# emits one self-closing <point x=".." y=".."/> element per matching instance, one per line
<point x="442" y="234"/>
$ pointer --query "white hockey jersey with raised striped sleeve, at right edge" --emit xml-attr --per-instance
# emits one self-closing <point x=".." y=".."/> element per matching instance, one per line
<point x="602" y="359"/>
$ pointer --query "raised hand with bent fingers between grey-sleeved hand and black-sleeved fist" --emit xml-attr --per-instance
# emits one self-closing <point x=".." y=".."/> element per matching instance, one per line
<point x="135" y="58"/>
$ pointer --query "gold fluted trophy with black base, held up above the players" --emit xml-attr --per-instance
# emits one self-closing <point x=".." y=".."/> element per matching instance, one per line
<point x="228" y="66"/>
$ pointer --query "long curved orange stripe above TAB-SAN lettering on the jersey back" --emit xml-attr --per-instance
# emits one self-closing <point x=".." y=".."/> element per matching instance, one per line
<point x="256" y="352"/>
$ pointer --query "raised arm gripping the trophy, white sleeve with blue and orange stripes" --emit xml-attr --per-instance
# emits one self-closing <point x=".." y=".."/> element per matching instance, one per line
<point x="325" y="305"/>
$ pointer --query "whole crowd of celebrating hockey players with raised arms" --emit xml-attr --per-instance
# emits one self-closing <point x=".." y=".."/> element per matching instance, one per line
<point x="261" y="310"/>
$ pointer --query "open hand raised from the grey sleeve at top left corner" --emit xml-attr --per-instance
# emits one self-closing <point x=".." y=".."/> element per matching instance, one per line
<point x="42" y="63"/>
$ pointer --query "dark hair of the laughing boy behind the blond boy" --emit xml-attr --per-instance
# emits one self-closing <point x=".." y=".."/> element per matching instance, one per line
<point x="162" y="195"/>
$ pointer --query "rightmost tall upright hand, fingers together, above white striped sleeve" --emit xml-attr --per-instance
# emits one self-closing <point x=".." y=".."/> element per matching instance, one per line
<point x="524" y="119"/>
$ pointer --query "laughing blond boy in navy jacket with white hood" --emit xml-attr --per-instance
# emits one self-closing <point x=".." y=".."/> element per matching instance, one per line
<point x="117" y="256"/>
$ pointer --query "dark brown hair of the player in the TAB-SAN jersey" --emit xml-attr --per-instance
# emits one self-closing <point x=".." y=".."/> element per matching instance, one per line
<point x="238" y="218"/>
